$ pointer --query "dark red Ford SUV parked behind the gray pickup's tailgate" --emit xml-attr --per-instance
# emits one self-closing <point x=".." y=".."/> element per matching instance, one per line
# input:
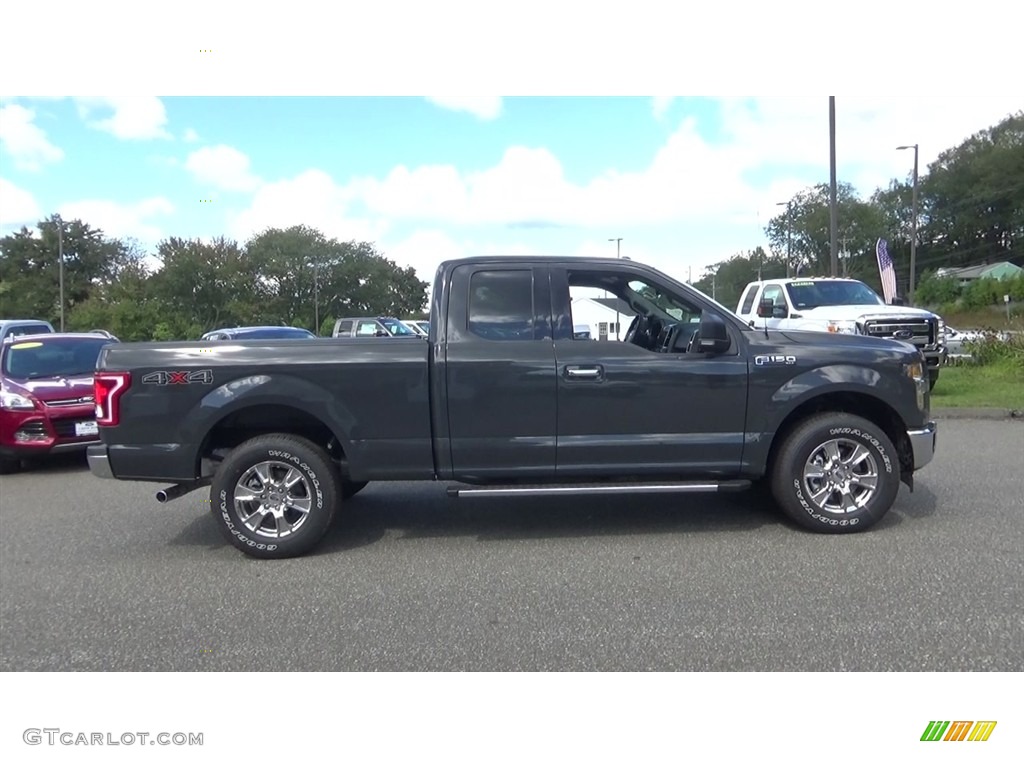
<point x="47" y="400"/>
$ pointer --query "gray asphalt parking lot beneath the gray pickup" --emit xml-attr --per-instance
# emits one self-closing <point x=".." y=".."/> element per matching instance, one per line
<point x="97" y="576"/>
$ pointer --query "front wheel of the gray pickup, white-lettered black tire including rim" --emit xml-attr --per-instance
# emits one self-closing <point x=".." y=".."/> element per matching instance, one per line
<point x="808" y="446"/>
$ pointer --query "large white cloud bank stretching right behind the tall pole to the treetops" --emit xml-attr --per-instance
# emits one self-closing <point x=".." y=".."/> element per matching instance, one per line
<point x="767" y="151"/>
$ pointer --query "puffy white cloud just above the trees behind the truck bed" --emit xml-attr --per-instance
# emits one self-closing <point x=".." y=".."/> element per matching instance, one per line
<point x="312" y="199"/>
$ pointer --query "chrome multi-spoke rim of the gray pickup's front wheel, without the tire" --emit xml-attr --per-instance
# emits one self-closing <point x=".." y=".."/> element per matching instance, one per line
<point x="841" y="477"/>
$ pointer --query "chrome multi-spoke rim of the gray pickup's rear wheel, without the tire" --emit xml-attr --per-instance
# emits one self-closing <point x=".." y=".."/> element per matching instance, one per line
<point x="273" y="499"/>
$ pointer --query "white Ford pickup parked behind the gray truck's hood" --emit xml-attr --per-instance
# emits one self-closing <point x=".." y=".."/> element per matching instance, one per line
<point x="843" y="307"/>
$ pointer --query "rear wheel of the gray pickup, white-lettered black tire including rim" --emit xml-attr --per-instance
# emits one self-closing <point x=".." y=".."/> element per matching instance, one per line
<point x="287" y="529"/>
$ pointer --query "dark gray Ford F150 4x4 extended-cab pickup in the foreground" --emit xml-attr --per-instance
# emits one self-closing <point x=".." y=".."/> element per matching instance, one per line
<point x="501" y="400"/>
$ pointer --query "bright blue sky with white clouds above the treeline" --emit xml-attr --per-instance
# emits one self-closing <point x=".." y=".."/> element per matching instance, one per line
<point x="684" y="182"/>
